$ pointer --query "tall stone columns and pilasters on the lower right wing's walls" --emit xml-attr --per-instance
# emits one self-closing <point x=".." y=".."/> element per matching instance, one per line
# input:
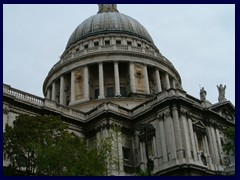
<point x="178" y="141"/>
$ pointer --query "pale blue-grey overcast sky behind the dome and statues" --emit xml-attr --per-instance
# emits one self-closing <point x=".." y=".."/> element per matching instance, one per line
<point x="198" y="39"/>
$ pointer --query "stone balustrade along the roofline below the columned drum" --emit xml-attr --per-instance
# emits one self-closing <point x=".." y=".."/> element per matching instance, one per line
<point x="97" y="110"/>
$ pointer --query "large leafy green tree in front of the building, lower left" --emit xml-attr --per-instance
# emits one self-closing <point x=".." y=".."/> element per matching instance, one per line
<point x="41" y="145"/>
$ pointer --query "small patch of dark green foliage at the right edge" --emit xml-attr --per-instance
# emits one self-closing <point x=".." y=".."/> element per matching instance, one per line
<point x="229" y="146"/>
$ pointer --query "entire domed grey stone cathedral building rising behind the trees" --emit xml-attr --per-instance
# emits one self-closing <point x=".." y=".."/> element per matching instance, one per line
<point x="117" y="78"/>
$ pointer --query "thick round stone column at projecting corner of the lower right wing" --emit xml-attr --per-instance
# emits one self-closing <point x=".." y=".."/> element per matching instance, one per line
<point x="178" y="133"/>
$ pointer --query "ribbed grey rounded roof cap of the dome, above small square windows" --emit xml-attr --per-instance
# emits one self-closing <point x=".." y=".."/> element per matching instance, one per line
<point x="107" y="22"/>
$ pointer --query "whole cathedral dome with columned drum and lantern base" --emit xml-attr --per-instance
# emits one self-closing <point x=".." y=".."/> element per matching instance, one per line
<point x="110" y="57"/>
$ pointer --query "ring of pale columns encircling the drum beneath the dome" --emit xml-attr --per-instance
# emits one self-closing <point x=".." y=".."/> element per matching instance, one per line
<point x="159" y="82"/>
